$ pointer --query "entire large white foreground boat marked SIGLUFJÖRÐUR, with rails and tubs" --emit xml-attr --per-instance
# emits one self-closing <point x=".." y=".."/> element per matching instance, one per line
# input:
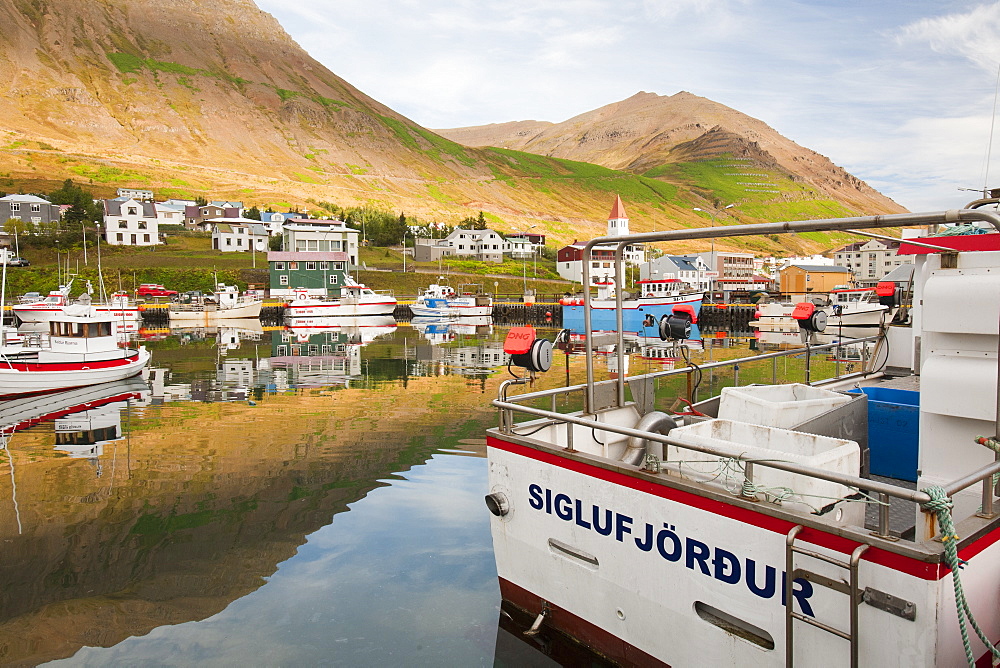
<point x="752" y="529"/>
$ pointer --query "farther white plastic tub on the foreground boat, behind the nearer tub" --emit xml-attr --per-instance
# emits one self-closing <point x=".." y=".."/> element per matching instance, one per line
<point x="777" y="405"/>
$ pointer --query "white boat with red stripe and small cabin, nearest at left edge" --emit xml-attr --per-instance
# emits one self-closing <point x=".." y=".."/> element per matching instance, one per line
<point x="81" y="348"/>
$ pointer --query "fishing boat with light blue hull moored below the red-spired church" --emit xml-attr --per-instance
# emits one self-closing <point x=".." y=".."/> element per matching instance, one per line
<point x="654" y="299"/>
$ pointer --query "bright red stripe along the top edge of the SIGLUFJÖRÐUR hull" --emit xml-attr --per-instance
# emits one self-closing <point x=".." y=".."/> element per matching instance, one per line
<point x="898" y="562"/>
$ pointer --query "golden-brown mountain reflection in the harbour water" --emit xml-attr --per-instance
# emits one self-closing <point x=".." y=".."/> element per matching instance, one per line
<point x="197" y="505"/>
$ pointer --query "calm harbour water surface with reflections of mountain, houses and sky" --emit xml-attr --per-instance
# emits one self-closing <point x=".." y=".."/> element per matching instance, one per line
<point x="262" y="497"/>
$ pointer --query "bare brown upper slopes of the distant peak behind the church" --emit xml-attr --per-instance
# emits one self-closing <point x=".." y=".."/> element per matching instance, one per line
<point x="647" y="131"/>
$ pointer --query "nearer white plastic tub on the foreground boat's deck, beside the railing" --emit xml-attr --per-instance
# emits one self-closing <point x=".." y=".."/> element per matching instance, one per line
<point x="771" y="443"/>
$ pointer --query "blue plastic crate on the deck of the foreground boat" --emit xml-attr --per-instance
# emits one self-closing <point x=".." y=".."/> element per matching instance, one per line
<point x="893" y="431"/>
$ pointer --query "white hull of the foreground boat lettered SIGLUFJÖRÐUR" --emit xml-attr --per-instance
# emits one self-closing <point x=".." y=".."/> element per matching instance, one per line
<point x="625" y="566"/>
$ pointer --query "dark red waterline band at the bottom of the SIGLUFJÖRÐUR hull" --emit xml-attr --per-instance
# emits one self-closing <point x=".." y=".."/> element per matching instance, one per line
<point x="590" y="635"/>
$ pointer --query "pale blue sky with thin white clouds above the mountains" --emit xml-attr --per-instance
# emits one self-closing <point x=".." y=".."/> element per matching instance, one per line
<point x="899" y="93"/>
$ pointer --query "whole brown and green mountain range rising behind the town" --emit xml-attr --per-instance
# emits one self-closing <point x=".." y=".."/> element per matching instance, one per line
<point x="213" y="98"/>
